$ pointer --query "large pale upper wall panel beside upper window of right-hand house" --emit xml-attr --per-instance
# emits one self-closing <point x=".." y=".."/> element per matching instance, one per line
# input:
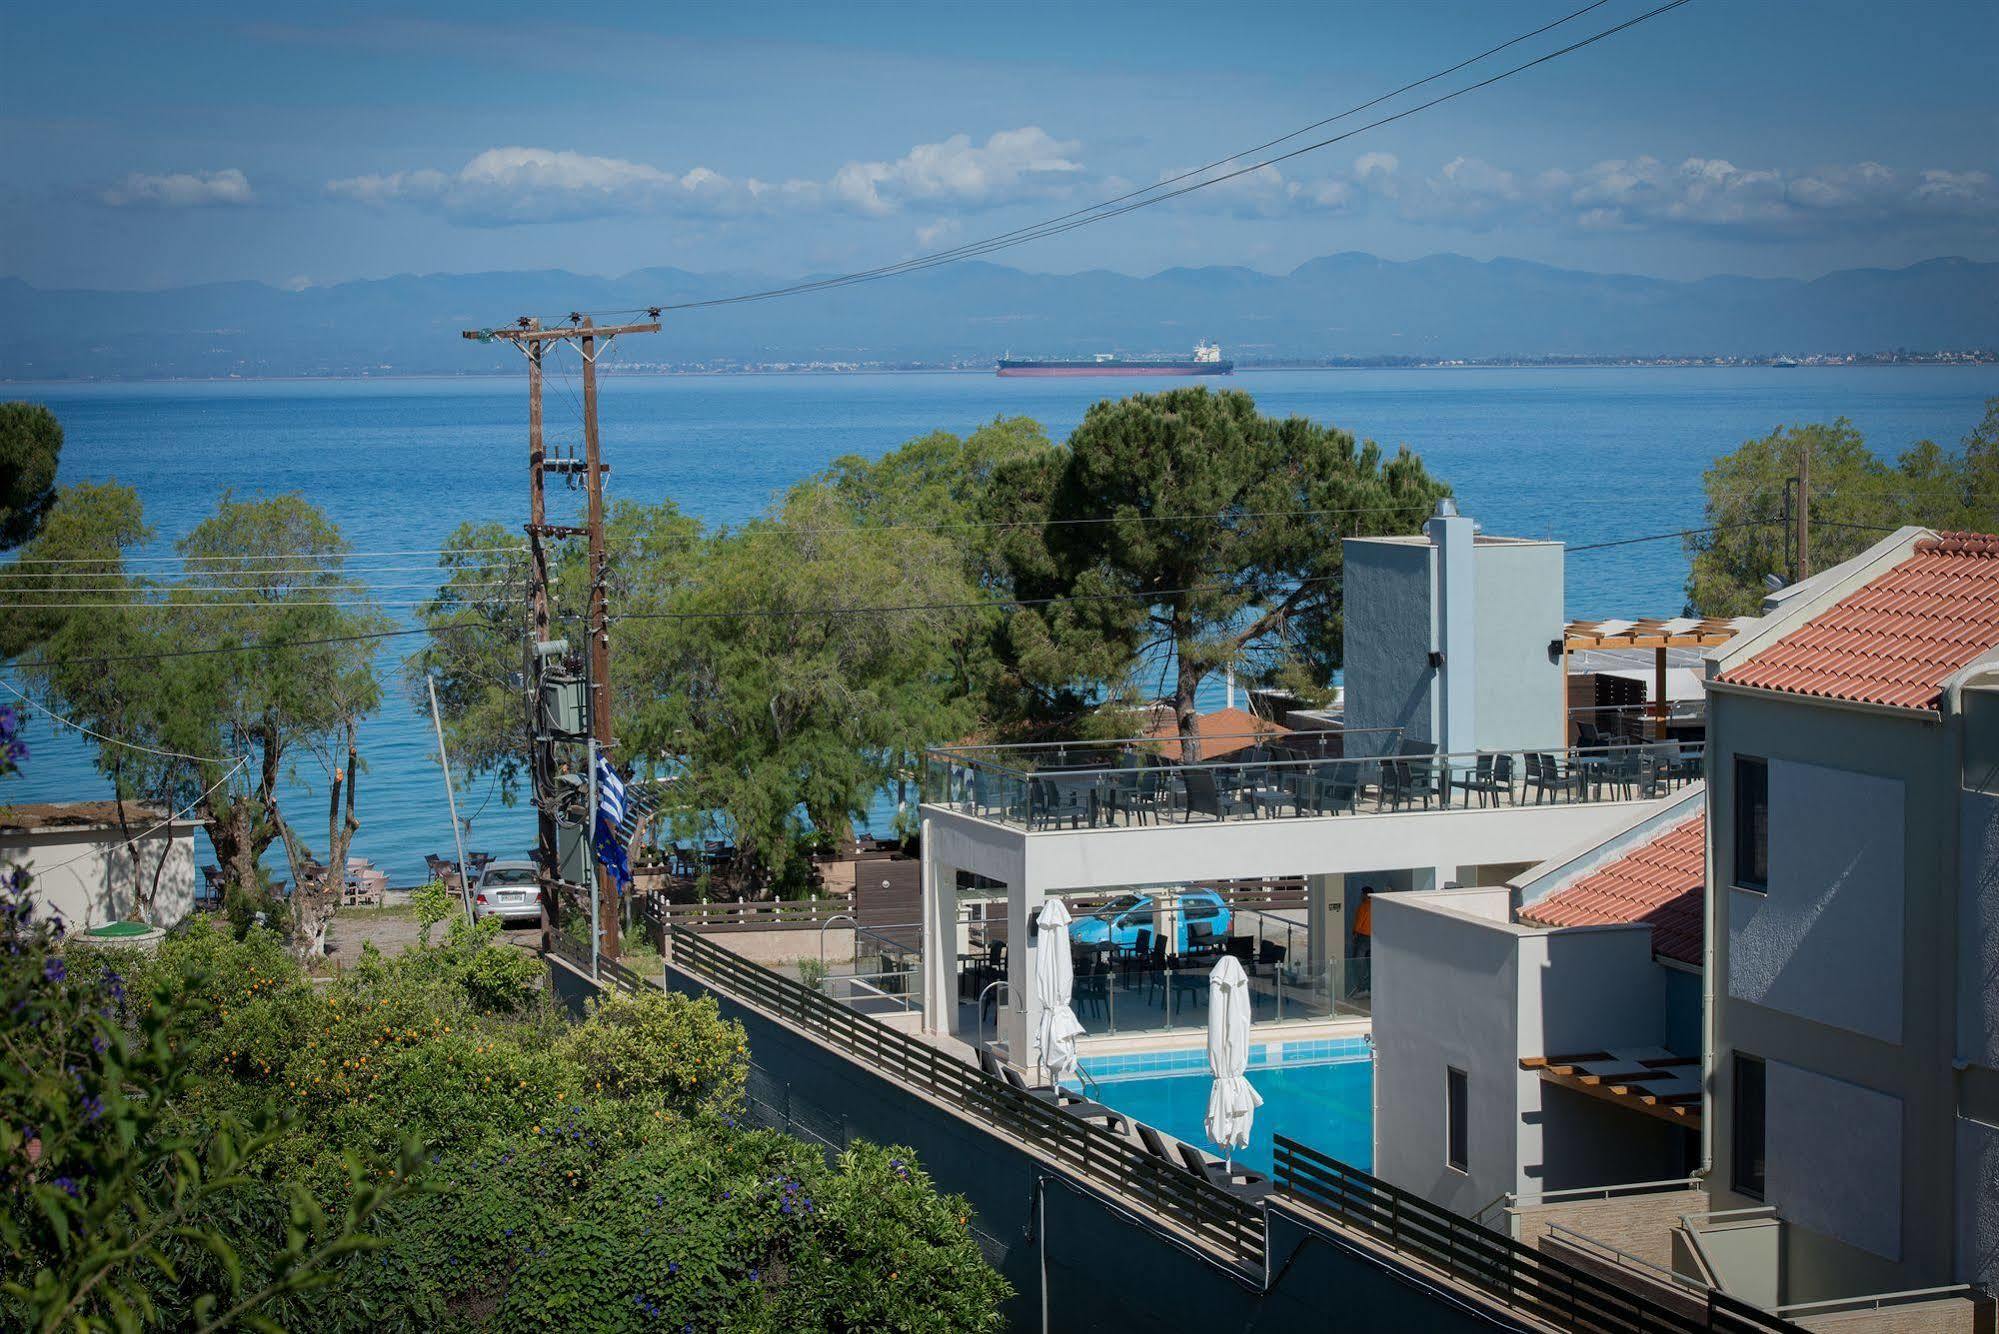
<point x="1826" y="941"/>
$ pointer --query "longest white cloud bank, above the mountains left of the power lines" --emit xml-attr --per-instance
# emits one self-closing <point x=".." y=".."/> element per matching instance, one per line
<point x="541" y="185"/>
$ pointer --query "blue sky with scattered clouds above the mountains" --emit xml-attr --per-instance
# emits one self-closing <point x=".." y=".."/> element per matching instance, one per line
<point x="303" y="145"/>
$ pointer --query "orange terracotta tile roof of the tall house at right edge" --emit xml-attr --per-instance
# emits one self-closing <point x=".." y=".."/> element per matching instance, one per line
<point x="1898" y="639"/>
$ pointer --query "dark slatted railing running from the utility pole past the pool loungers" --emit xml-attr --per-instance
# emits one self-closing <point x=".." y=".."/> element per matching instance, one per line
<point x="1110" y="1161"/>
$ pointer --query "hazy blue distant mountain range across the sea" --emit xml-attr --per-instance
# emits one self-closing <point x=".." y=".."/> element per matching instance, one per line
<point x="1336" y="307"/>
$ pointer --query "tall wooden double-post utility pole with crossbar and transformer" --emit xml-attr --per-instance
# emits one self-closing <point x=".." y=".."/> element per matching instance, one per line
<point x="591" y="343"/>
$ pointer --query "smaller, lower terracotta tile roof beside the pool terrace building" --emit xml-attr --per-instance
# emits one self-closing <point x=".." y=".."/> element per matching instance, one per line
<point x="1660" y="883"/>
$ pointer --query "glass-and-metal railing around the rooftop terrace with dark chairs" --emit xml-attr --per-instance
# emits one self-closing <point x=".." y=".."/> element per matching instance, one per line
<point x="1060" y="791"/>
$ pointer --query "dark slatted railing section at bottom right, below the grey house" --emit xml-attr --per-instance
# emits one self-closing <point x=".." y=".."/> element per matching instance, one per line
<point x="1510" y="1273"/>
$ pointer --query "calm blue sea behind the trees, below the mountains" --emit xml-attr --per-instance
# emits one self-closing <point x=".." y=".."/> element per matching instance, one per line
<point x="1576" y="455"/>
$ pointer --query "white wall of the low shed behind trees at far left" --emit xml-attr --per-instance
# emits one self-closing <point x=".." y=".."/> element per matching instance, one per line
<point x="87" y="875"/>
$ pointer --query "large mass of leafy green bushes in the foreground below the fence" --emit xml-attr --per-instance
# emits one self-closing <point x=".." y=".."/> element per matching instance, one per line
<point x="571" y="1175"/>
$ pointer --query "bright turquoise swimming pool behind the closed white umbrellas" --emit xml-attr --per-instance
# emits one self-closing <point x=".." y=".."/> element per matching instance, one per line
<point x="1318" y="1093"/>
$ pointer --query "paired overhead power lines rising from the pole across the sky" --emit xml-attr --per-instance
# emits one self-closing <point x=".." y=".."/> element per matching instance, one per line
<point x="1122" y="205"/>
